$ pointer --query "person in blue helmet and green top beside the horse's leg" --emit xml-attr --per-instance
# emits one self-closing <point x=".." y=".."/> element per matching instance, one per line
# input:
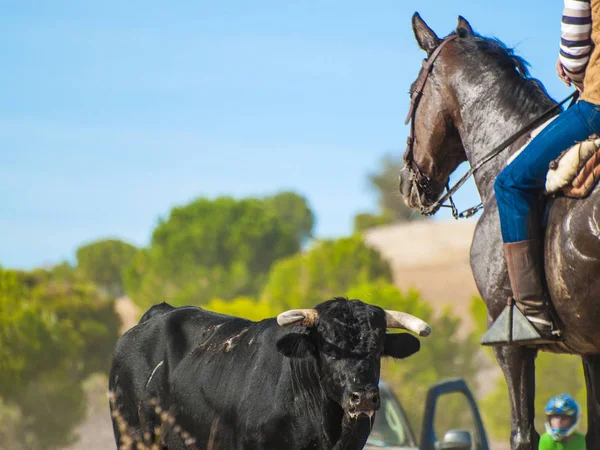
<point x="562" y="416"/>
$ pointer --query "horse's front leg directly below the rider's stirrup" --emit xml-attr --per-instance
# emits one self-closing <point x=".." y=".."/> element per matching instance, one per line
<point x="518" y="365"/>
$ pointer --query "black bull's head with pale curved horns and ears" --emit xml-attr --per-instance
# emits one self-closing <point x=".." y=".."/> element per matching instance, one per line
<point x="348" y="339"/>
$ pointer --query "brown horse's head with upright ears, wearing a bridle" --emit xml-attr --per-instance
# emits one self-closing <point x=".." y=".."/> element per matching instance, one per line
<point x="435" y="148"/>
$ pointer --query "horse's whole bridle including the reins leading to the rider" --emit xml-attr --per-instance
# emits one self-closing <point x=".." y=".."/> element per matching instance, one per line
<point x="427" y="185"/>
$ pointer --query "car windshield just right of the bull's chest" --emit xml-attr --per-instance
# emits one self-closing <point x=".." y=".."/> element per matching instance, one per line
<point x="390" y="428"/>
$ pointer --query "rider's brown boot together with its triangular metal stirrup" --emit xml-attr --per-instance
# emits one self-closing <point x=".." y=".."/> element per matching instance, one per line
<point x="531" y="324"/>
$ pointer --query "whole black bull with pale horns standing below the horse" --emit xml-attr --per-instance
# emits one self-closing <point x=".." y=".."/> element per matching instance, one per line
<point x="306" y="380"/>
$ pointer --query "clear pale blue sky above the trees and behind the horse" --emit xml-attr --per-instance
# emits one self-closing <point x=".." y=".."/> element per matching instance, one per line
<point x="113" y="112"/>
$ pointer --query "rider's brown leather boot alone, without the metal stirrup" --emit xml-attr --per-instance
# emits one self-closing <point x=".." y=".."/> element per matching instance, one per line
<point x="523" y="260"/>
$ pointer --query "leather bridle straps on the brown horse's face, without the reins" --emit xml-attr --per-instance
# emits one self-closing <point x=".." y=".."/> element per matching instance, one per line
<point x="420" y="180"/>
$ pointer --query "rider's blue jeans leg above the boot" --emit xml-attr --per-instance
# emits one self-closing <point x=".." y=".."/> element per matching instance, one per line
<point x="520" y="185"/>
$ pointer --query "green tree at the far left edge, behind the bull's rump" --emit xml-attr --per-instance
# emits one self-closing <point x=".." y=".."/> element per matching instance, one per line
<point x="53" y="334"/>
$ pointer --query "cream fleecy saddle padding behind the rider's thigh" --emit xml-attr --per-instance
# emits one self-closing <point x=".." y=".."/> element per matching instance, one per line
<point x="576" y="171"/>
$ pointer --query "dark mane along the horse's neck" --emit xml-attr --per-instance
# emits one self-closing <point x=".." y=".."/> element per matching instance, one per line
<point x="511" y="71"/>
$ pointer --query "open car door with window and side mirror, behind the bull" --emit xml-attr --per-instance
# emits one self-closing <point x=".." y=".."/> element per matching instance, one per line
<point x="451" y="419"/>
